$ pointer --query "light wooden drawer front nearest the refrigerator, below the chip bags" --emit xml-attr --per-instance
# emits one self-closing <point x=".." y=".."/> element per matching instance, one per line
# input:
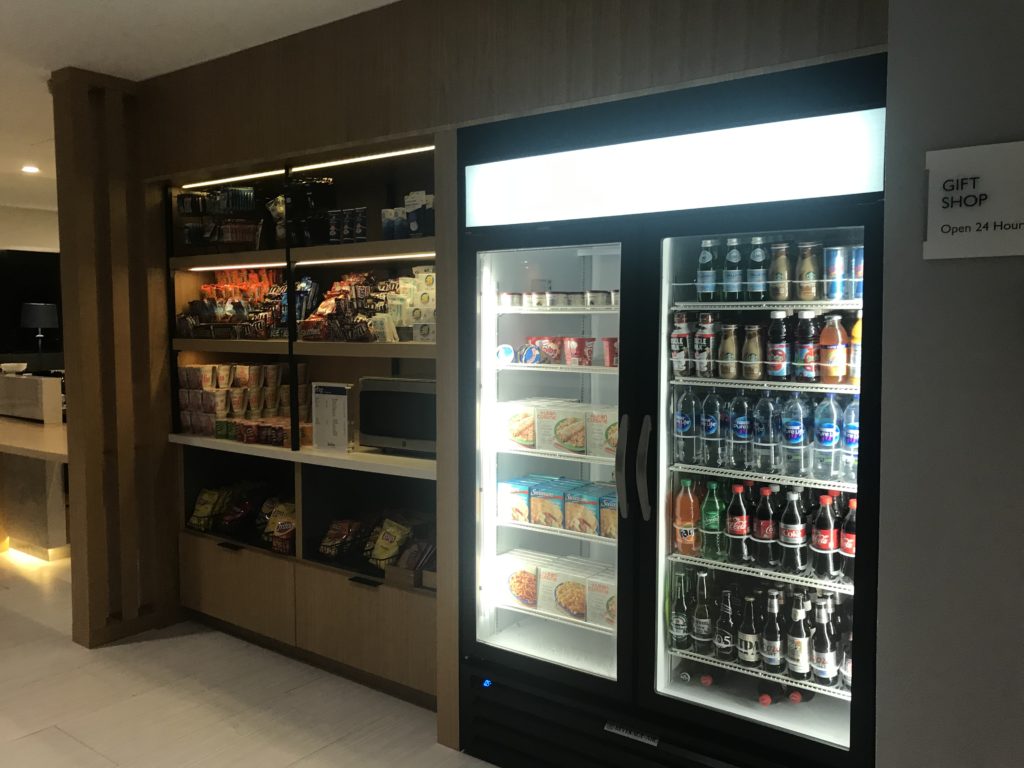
<point x="389" y="632"/>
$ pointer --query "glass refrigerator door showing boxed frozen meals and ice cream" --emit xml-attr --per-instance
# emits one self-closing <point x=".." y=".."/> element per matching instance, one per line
<point x="547" y="434"/>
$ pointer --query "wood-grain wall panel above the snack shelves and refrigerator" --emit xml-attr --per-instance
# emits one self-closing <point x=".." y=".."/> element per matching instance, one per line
<point x="418" y="66"/>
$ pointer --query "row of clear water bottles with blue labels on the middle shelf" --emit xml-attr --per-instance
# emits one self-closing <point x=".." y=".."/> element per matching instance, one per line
<point x="773" y="435"/>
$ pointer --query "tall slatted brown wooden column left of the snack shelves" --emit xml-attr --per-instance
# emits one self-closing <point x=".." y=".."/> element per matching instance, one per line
<point x="122" y="520"/>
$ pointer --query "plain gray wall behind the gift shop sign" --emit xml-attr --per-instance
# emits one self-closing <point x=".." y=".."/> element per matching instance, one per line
<point x="951" y="629"/>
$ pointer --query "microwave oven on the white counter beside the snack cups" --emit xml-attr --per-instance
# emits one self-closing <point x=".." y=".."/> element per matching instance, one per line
<point x="399" y="414"/>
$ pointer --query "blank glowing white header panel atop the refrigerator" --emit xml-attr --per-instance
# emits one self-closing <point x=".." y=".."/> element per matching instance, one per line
<point x="818" y="157"/>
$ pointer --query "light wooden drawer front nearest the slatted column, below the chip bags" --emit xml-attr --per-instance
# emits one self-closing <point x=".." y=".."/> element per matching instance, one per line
<point x="239" y="585"/>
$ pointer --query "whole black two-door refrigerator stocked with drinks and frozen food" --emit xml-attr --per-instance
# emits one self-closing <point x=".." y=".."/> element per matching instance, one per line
<point x="671" y="334"/>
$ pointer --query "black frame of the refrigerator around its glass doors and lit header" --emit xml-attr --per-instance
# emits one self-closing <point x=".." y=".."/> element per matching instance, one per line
<point x="627" y="722"/>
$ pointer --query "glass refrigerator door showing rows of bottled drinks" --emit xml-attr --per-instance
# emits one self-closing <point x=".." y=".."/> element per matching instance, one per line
<point x="741" y="413"/>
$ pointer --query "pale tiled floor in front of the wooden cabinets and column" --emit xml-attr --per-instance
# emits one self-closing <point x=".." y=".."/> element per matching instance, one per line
<point x="183" y="697"/>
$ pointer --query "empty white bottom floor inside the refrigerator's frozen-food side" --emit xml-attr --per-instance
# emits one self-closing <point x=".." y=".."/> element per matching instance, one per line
<point x="575" y="649"/>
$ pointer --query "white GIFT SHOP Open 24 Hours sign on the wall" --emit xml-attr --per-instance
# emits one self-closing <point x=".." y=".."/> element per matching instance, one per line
<point x="975" y="202"/>
